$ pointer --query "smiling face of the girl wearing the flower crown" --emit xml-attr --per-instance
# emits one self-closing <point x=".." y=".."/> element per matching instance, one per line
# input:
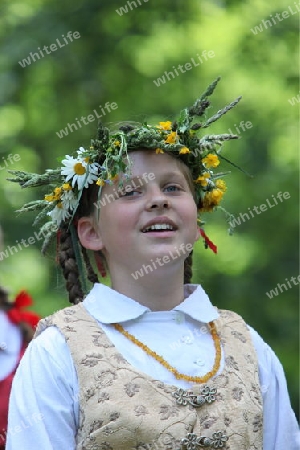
<point x="155" y="215"/>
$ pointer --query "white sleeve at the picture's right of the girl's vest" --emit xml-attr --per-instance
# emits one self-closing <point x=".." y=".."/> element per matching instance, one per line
<point x="280" y="425"/>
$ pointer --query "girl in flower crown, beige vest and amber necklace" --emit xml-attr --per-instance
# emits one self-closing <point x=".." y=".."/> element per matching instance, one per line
<point x="148" y="363"/>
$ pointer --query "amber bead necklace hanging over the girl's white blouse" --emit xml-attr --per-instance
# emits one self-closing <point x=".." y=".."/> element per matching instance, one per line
<point x="163" y="362"/>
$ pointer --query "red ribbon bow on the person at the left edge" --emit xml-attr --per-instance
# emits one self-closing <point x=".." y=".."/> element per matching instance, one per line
<point x="16" y="314"/>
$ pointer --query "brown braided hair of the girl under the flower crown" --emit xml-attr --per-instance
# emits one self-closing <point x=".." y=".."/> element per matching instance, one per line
<point x="72" y="253"/>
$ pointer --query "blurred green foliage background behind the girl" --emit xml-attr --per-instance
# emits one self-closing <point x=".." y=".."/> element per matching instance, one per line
<point x="116" y="59"/>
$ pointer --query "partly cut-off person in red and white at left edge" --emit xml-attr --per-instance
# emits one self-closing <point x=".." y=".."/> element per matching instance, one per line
<point x="17" y="328"/>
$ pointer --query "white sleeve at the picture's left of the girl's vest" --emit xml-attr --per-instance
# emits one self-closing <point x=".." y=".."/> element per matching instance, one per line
<point x="43" y="408"/>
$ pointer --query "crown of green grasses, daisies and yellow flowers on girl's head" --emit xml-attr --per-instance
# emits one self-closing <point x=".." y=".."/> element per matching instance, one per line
<point x="106" y="159"/>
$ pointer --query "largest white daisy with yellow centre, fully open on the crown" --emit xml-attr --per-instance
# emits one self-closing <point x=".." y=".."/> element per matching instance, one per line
<point x="79" y="171"/>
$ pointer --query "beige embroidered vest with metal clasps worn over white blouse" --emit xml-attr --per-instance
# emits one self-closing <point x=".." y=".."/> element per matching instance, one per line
<point x="122" y="408"/>
